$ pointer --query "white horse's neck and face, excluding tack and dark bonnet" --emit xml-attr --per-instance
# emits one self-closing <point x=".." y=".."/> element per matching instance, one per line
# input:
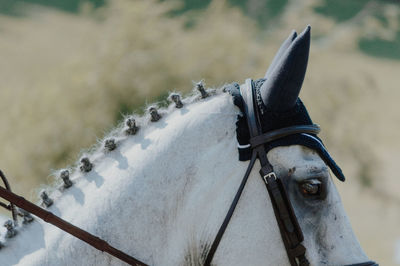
<point x="162" y="194"/>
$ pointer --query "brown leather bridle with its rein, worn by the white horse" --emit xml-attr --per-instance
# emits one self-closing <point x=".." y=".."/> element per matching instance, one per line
<point x="290" y="230"/>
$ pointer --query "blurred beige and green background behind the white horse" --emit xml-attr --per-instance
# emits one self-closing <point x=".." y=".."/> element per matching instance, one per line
<point x="70" y="70"/>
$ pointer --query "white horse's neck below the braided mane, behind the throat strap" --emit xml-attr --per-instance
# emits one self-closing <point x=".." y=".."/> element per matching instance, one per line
<point x="161" y="196"/>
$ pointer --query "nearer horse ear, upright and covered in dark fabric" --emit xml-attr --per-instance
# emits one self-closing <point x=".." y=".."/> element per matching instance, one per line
<point x="281" y="90"/>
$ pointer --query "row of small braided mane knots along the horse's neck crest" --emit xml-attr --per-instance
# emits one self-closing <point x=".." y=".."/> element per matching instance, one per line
<point x="66" y="177"/>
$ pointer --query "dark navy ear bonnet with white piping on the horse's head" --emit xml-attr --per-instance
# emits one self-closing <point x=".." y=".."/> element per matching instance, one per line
<point x="278" y="102"/>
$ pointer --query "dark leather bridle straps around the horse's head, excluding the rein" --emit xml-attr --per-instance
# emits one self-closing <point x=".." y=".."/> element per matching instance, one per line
<point x="290" y="230"/>
